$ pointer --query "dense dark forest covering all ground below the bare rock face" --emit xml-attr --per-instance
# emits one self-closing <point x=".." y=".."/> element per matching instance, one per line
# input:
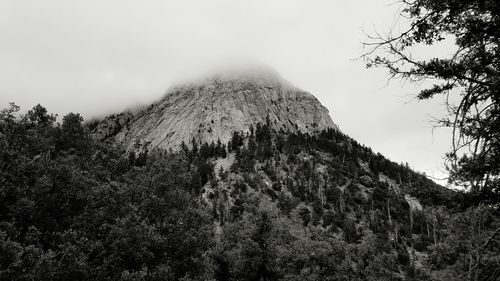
<point x="268" y="205"/>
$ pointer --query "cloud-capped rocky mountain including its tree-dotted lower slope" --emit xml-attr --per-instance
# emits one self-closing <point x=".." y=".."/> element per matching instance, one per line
<point x="285" y="184"/>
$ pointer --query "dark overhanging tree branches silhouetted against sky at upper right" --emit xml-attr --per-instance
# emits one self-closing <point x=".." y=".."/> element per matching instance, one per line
<point x="471" y="75"/>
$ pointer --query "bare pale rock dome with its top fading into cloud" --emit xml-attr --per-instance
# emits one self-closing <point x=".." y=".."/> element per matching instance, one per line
<point x="212" y="109"/>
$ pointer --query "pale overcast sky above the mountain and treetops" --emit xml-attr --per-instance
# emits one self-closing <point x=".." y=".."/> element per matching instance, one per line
<point x="99" y="57"/>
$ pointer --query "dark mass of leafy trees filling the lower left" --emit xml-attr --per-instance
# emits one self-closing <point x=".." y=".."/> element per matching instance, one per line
<point x="75" y="209"/>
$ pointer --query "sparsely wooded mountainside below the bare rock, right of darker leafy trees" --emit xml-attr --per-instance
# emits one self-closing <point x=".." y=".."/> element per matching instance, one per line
<point x="348" y="202"/>
